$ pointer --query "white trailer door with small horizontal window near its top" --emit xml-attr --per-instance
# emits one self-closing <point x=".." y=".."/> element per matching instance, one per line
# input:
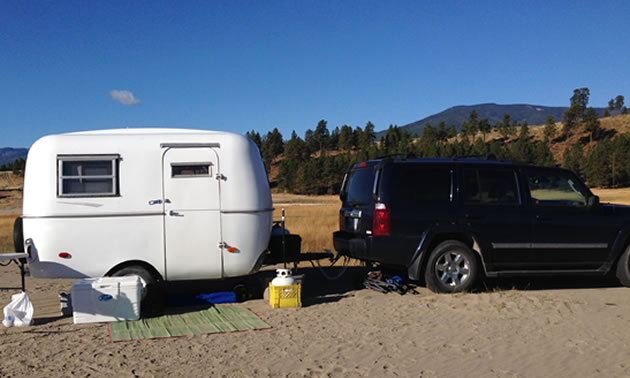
<point x="192" y="219"/>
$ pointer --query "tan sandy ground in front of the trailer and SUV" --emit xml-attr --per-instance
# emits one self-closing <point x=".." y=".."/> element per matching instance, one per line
<point x="568" y="327"/>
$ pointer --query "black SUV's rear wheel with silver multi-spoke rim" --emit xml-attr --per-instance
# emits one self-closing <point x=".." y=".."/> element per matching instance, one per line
<point x="452" y="267"/>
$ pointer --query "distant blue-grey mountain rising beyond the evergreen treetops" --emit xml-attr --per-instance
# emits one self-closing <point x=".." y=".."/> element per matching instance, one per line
<point x="533" y="114"/>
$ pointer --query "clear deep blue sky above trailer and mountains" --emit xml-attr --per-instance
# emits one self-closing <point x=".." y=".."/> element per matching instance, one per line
<point x="243" y="65"/>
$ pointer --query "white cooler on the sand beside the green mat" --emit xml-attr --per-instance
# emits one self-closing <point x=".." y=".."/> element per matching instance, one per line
<point x="106" y="299"/>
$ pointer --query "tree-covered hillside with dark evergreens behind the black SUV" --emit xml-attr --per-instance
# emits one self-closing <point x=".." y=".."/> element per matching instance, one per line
<point x="317" y="163"/>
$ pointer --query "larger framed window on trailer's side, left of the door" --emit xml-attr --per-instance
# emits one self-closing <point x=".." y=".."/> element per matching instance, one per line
<point x="87" y="175"/>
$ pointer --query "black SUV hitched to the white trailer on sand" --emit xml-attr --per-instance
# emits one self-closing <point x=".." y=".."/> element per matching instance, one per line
<point x="450" y="221"/>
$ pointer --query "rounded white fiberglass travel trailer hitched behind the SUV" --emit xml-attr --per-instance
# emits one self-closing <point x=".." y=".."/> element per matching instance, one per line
<point x="166" y="204"/>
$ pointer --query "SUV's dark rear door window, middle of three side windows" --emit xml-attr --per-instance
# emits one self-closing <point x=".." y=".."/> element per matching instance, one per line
<point x="490" y="186"/>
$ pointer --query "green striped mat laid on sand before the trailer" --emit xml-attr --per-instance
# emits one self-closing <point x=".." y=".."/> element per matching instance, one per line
<point x="212" y="320"/>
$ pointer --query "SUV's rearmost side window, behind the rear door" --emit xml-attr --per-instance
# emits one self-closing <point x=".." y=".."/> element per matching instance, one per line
<point x="419" y="184"/>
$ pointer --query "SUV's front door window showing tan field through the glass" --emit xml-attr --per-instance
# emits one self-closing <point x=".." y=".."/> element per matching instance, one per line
<point x="555" y="188"/>
